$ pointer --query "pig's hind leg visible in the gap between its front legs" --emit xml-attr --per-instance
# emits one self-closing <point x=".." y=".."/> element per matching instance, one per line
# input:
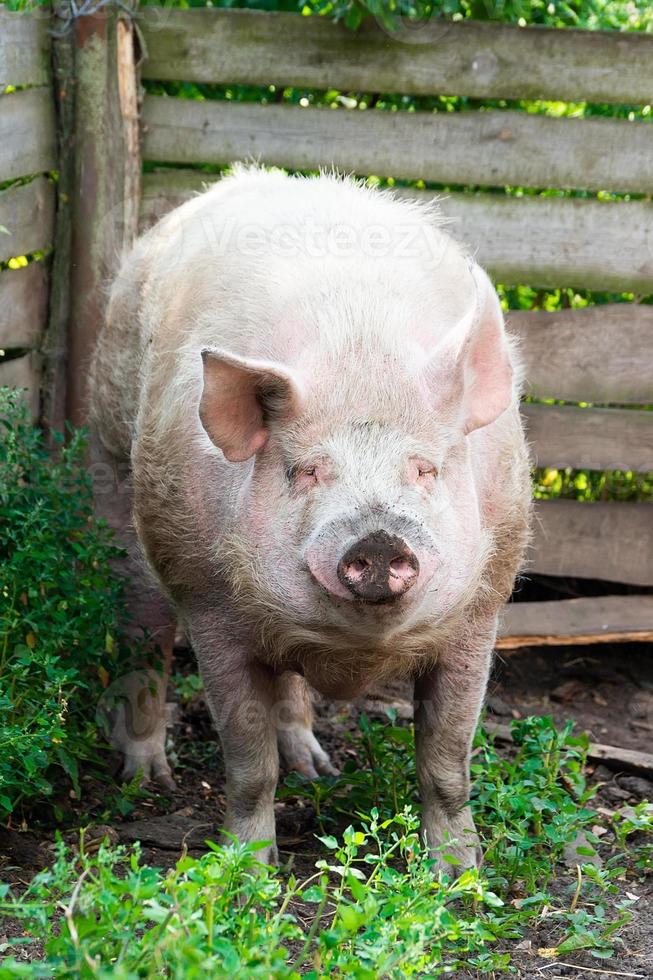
<point x="298" y="747"/>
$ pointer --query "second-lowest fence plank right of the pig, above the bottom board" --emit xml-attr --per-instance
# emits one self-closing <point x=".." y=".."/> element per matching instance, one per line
<point x="608" y="541"/>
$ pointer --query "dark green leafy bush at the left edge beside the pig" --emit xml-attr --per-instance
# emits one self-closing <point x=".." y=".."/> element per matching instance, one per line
<point x="59" y="609"/>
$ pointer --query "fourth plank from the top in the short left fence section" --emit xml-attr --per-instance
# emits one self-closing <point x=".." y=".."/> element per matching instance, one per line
<point x="23" y="305"/>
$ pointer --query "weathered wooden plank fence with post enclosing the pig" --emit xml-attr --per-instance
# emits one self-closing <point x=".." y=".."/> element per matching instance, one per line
<point x="601" y="355"/>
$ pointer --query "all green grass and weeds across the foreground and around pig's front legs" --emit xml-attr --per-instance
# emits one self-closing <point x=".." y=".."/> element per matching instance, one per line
<point x="372" y="907"/>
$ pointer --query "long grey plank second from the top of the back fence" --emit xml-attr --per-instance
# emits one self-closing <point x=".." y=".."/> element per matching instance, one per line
<point x="489" y="148"/>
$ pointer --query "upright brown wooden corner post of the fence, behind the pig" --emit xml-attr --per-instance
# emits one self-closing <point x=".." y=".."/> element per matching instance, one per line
<point x="106" y="181"/>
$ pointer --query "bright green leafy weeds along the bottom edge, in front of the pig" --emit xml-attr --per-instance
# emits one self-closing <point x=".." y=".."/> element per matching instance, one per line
<point x="225" y="915"/>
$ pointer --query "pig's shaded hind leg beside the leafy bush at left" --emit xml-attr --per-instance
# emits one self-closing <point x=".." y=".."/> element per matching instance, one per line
<point x="136" y="718"/>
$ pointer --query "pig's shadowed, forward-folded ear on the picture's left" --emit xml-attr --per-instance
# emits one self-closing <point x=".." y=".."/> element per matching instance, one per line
<point x="239" y="398"/>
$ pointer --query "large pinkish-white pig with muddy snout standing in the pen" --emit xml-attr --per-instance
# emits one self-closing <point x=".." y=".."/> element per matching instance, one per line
<point x="318" y="401"/>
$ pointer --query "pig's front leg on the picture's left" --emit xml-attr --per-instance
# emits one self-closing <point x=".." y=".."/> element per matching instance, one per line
<point x="241" y="695"/>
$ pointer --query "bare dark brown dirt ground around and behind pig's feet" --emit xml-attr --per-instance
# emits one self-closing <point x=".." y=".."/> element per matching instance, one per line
<point x="606" y="690"/>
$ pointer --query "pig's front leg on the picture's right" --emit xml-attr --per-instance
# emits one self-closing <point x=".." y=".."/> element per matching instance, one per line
<point x="448" y="700"/>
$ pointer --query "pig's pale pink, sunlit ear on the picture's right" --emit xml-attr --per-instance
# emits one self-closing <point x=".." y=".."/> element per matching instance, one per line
<point x="473" y="365"/>
